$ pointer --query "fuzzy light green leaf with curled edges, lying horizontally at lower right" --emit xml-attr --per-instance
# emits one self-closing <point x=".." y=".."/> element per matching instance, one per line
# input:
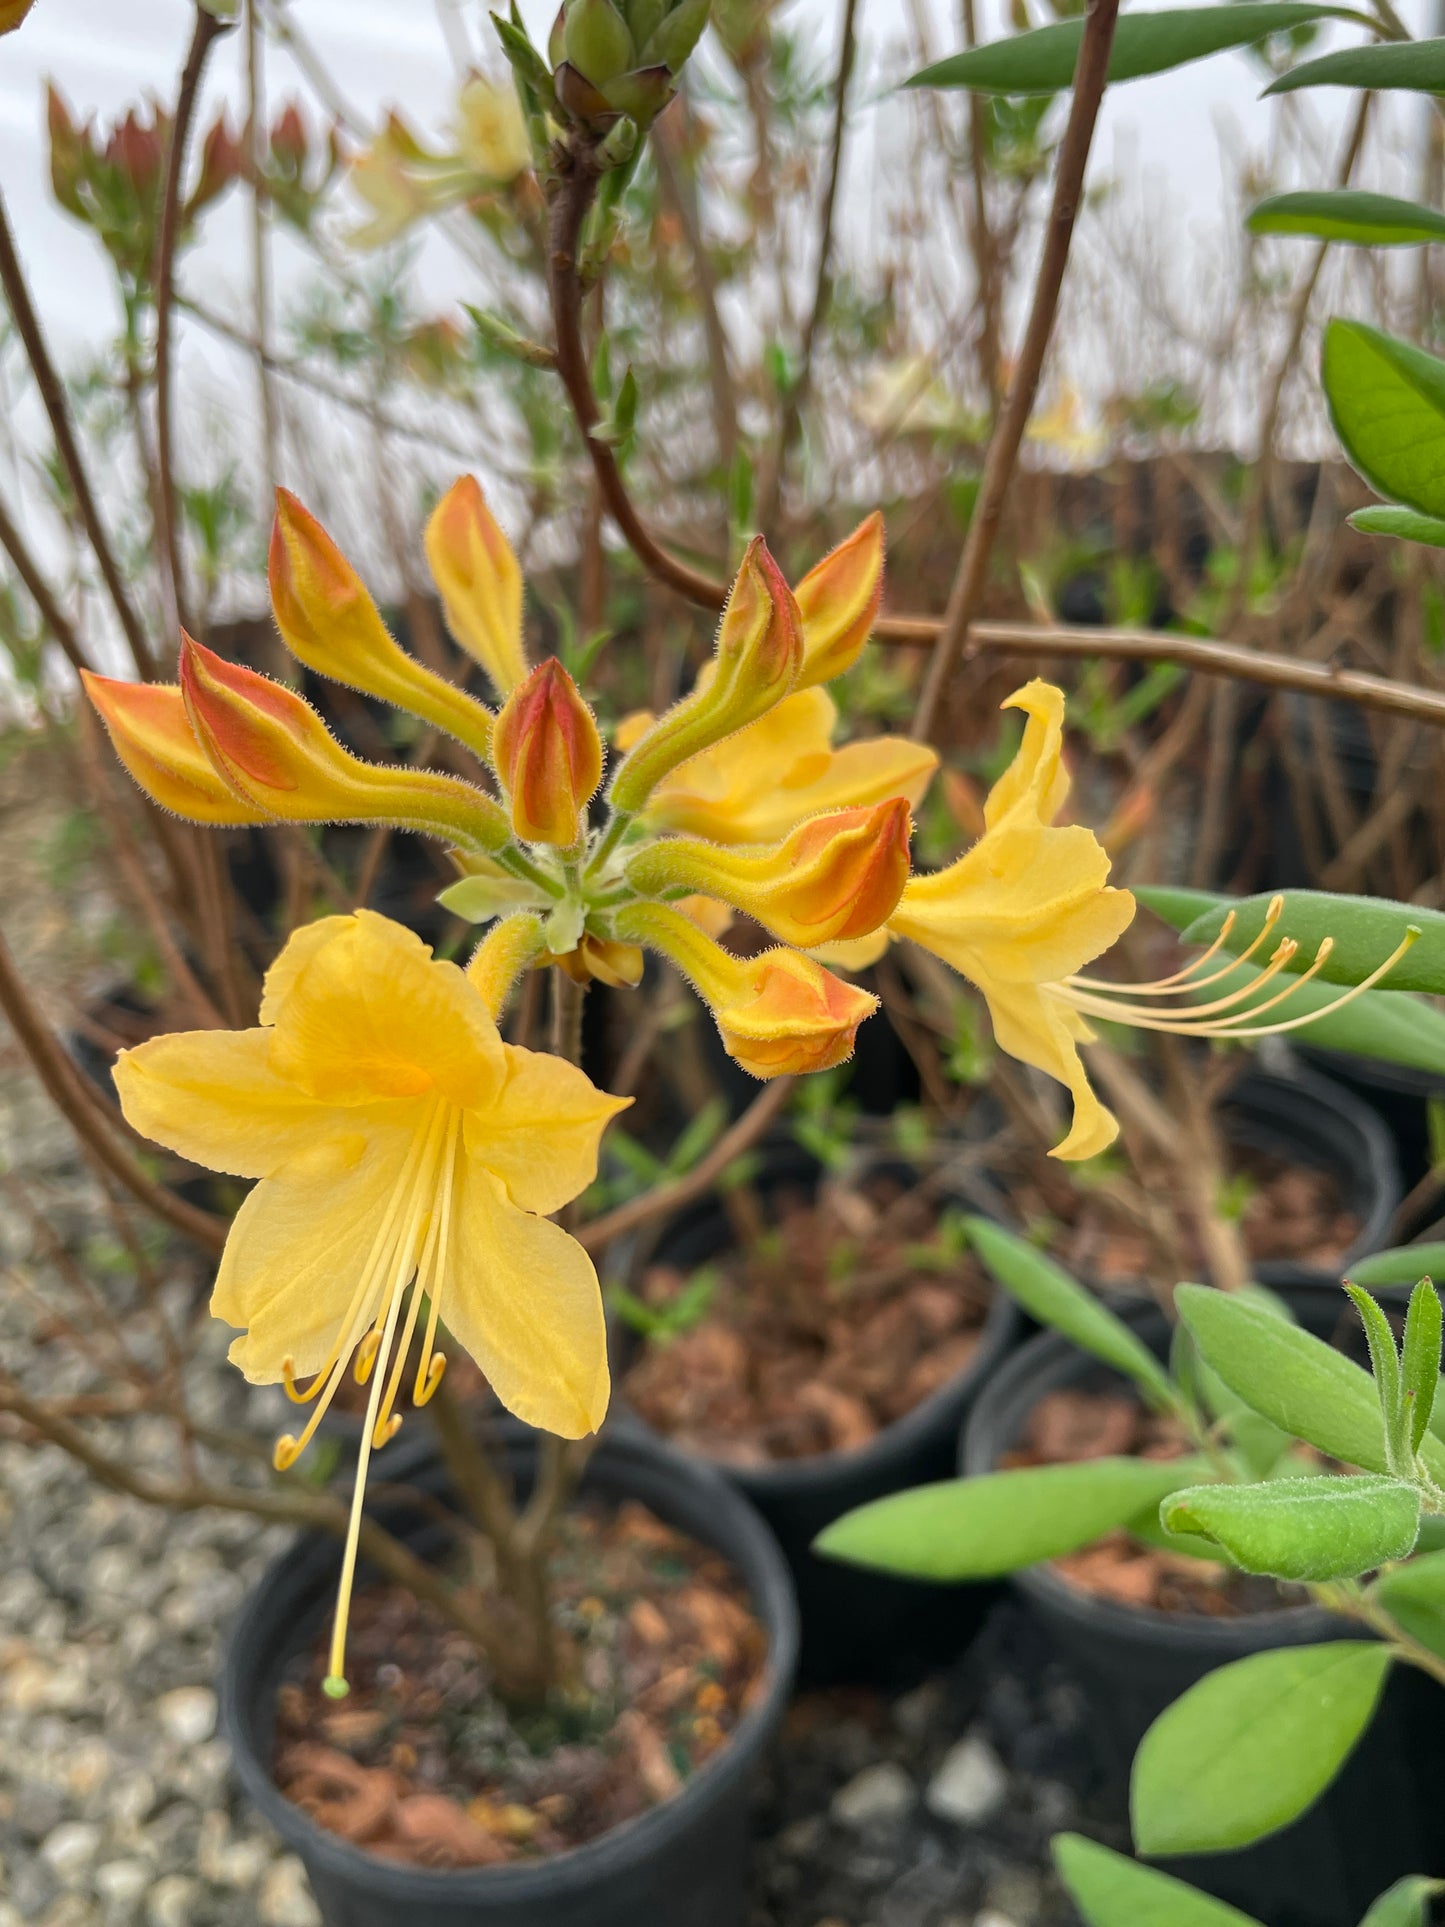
<point x="1303" y="1529"/>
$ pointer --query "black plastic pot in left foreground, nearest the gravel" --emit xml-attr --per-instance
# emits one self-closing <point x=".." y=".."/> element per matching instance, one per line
<point x="681" y="1864"/>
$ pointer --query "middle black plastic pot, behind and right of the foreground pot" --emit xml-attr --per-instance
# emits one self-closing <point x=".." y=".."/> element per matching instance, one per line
<point x="858" y="1627"/>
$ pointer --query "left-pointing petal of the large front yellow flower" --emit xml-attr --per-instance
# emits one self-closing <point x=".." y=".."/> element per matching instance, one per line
<point x="215" y="1097"/>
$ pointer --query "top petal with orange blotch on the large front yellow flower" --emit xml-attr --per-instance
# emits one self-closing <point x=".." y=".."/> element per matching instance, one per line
<point x="373" y="1015"/>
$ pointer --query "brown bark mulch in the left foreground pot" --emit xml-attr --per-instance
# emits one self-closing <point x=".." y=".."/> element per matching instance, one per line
<point x="423" y="1764"/>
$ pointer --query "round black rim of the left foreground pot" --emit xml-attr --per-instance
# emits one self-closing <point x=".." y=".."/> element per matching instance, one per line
<point x="313" y="1568"/>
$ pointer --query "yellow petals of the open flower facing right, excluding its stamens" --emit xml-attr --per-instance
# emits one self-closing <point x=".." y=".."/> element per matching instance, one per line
<point x="1024" y="911"/>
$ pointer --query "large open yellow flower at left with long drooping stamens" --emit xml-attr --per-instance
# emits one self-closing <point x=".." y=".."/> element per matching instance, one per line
<point x="407" y="1159"/>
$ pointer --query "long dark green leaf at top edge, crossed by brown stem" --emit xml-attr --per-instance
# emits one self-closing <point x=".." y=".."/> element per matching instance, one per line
<point x="1043" y="61"/>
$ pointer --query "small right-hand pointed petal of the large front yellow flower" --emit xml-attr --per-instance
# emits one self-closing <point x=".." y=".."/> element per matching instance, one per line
<point x="540" y="1132"/>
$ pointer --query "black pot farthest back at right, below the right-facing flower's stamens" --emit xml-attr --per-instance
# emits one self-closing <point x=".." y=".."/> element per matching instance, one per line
<point x="1307" y="1119"/>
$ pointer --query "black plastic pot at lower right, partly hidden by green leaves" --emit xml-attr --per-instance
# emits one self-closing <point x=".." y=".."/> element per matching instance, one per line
<point x="1377" y="1824"/>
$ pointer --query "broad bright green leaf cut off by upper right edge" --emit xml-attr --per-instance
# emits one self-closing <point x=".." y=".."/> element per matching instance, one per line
<point x="1388" y="406"/>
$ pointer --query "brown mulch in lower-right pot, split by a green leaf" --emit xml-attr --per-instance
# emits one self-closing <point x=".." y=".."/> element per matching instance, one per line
<point x="1070" y="1427"/>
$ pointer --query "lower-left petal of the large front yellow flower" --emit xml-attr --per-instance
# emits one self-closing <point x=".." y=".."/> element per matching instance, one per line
<point x="300" y="1248"/>
